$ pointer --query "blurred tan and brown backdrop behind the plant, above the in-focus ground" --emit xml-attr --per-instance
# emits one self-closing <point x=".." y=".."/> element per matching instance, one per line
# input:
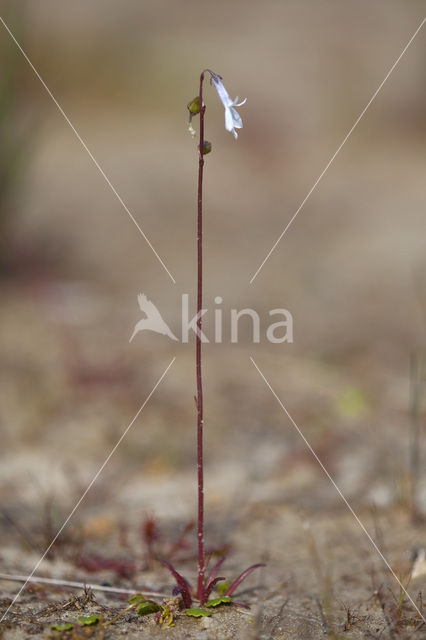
<point x="351" y="268"/>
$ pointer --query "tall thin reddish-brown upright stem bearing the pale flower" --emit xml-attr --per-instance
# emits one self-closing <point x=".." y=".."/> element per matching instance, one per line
<point x="200" y="419"/>
